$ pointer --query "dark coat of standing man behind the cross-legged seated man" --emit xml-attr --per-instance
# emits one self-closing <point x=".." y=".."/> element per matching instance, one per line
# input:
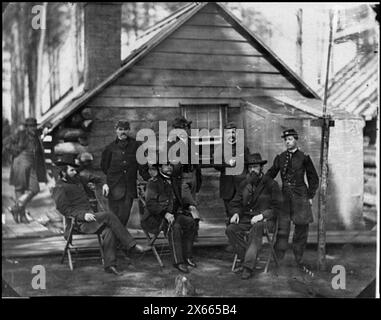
<point x="120" y="166"/>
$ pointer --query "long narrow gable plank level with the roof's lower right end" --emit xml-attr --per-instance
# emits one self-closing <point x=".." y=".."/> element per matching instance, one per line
<point x="186" y="92"/>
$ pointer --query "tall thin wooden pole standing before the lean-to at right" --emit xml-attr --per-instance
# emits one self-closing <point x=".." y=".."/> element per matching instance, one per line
<point x="325" y="125"/>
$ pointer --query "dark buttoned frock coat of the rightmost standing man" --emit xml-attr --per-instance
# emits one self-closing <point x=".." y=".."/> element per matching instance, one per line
<point x="296" y="193"/>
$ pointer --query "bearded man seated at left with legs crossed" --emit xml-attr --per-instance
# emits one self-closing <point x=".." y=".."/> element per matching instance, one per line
<point x="72" y="201"/>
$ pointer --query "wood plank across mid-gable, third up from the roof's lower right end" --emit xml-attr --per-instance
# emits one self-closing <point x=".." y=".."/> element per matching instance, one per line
<point x="206" y="62"/>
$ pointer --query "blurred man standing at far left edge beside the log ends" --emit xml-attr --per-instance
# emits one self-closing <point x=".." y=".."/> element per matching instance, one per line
<point x="28" y="167"/>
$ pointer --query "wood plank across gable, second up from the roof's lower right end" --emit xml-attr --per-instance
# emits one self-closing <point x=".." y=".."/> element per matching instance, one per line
<point x="143" y="76"/>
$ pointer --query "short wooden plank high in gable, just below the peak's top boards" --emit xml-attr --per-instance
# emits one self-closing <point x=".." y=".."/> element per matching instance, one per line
<point x="208" y="33"/>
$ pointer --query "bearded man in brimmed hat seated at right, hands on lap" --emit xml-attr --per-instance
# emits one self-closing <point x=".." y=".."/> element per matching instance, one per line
<point x="258" y="200"/>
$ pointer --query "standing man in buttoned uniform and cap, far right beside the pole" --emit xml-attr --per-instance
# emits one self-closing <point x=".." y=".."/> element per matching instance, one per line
<point x="293" y="166"/>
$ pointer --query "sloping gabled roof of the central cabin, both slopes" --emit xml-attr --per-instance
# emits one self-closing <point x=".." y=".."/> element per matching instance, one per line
<point x="154" y="36"/>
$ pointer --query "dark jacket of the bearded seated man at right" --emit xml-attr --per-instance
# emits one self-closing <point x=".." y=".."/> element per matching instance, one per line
<point x="268" y="202"/>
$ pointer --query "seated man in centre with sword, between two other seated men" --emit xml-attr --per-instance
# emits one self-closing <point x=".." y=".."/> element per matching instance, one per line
<point x="164" y="209"/>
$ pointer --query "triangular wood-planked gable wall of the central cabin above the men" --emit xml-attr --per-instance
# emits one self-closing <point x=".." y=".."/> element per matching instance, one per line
<point x="204" y="61"/>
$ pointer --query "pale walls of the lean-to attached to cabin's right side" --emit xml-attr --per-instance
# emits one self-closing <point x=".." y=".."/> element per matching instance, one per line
<point x="345" y="180"/>
